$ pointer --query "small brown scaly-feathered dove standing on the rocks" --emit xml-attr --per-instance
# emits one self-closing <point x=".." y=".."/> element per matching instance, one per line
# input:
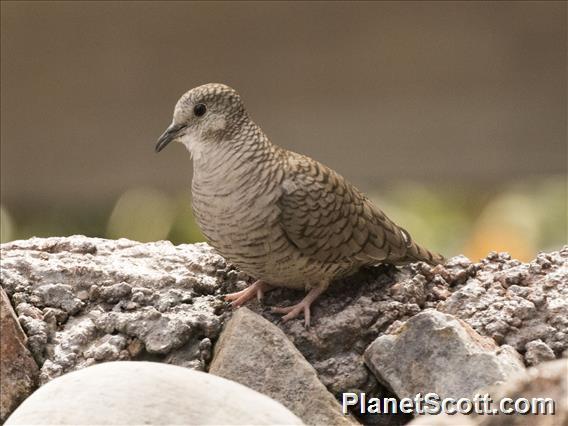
<point x="281" y="217"/>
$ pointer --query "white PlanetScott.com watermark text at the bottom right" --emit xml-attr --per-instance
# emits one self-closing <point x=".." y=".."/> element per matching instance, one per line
<point x="431" y="403"/>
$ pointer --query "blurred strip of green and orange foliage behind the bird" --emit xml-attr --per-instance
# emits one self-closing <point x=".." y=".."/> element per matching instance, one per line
<point x="521" y="218"/>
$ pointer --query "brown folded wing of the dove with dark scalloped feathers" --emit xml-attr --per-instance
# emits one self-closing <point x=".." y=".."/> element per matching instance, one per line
<point x="328" y="219"/>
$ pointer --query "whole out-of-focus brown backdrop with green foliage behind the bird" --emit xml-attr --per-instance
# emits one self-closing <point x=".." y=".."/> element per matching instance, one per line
<point x="450" y="115"/>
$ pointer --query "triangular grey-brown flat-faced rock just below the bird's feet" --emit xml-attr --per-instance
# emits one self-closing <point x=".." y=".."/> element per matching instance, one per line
<point x="254" y="352"/>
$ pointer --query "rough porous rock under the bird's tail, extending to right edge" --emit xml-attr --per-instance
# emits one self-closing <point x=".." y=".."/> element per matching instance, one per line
<point x="512" y="302"/>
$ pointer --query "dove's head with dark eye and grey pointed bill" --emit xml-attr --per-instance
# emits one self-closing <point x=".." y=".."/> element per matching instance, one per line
<point x="203" y="115"/>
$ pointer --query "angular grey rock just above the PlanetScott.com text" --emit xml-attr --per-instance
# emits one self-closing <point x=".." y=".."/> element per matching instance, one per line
<point x="435" y="352"/>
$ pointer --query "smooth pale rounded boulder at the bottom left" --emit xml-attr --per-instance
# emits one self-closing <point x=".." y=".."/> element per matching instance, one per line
<point x="133" y="393"/>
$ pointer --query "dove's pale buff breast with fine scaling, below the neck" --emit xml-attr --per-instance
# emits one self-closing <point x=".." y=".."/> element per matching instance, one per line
<point x="238" y="214"/>
